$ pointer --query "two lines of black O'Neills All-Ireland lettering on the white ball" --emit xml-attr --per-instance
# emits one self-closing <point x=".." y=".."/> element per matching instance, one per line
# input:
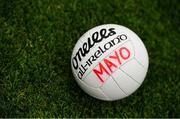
<point x="96" y="37"/>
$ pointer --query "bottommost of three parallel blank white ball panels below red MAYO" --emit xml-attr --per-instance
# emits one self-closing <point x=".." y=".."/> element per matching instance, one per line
<point x="112" y="90"/>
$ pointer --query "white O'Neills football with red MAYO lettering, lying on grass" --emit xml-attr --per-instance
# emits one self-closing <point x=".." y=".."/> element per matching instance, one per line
<point x="109" y="62"/>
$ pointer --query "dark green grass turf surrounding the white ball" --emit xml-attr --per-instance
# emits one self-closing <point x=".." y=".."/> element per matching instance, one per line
<point x="36" y="41"/>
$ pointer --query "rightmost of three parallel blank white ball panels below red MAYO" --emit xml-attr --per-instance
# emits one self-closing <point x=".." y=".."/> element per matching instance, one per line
<point x="134" y="70"/>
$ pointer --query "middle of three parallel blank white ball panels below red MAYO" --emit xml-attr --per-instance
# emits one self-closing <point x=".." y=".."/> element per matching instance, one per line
<point x="127" y="84"/>
